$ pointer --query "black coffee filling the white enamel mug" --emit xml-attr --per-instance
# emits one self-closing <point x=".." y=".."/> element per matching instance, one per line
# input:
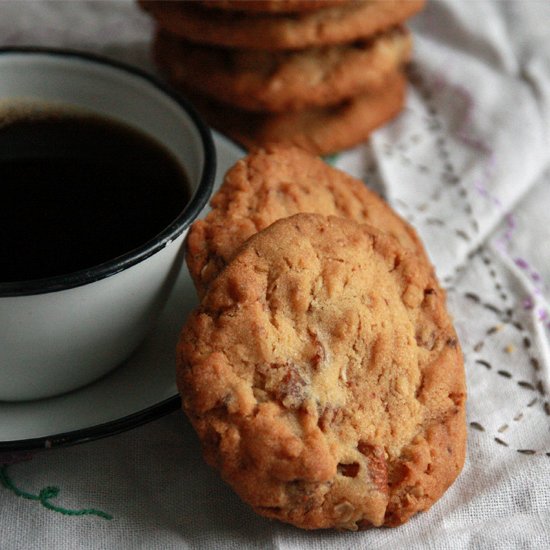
<point x="78" y="190"/>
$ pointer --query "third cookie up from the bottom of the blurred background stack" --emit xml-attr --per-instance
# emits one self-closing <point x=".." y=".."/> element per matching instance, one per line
<point x="334" y="25"/>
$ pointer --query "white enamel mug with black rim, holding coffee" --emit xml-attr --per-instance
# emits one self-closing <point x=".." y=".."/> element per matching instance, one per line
<point x="60" y="333"/>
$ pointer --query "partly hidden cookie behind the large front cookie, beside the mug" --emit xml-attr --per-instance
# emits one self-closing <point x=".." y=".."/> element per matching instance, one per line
<point x="275" y="183"/>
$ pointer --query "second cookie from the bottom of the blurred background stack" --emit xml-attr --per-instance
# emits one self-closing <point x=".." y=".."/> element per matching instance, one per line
<point x="281" y="81"/>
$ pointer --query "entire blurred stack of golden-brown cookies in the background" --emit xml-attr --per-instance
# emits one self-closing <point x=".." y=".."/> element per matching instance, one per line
<point x="320" y="74"/>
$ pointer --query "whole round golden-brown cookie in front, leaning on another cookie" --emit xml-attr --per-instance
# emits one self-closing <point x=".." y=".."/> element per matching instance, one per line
<point x="324" y="378"/>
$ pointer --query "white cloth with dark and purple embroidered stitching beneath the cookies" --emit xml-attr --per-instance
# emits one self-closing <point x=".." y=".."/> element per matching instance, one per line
<point x="468" y="163"/>
